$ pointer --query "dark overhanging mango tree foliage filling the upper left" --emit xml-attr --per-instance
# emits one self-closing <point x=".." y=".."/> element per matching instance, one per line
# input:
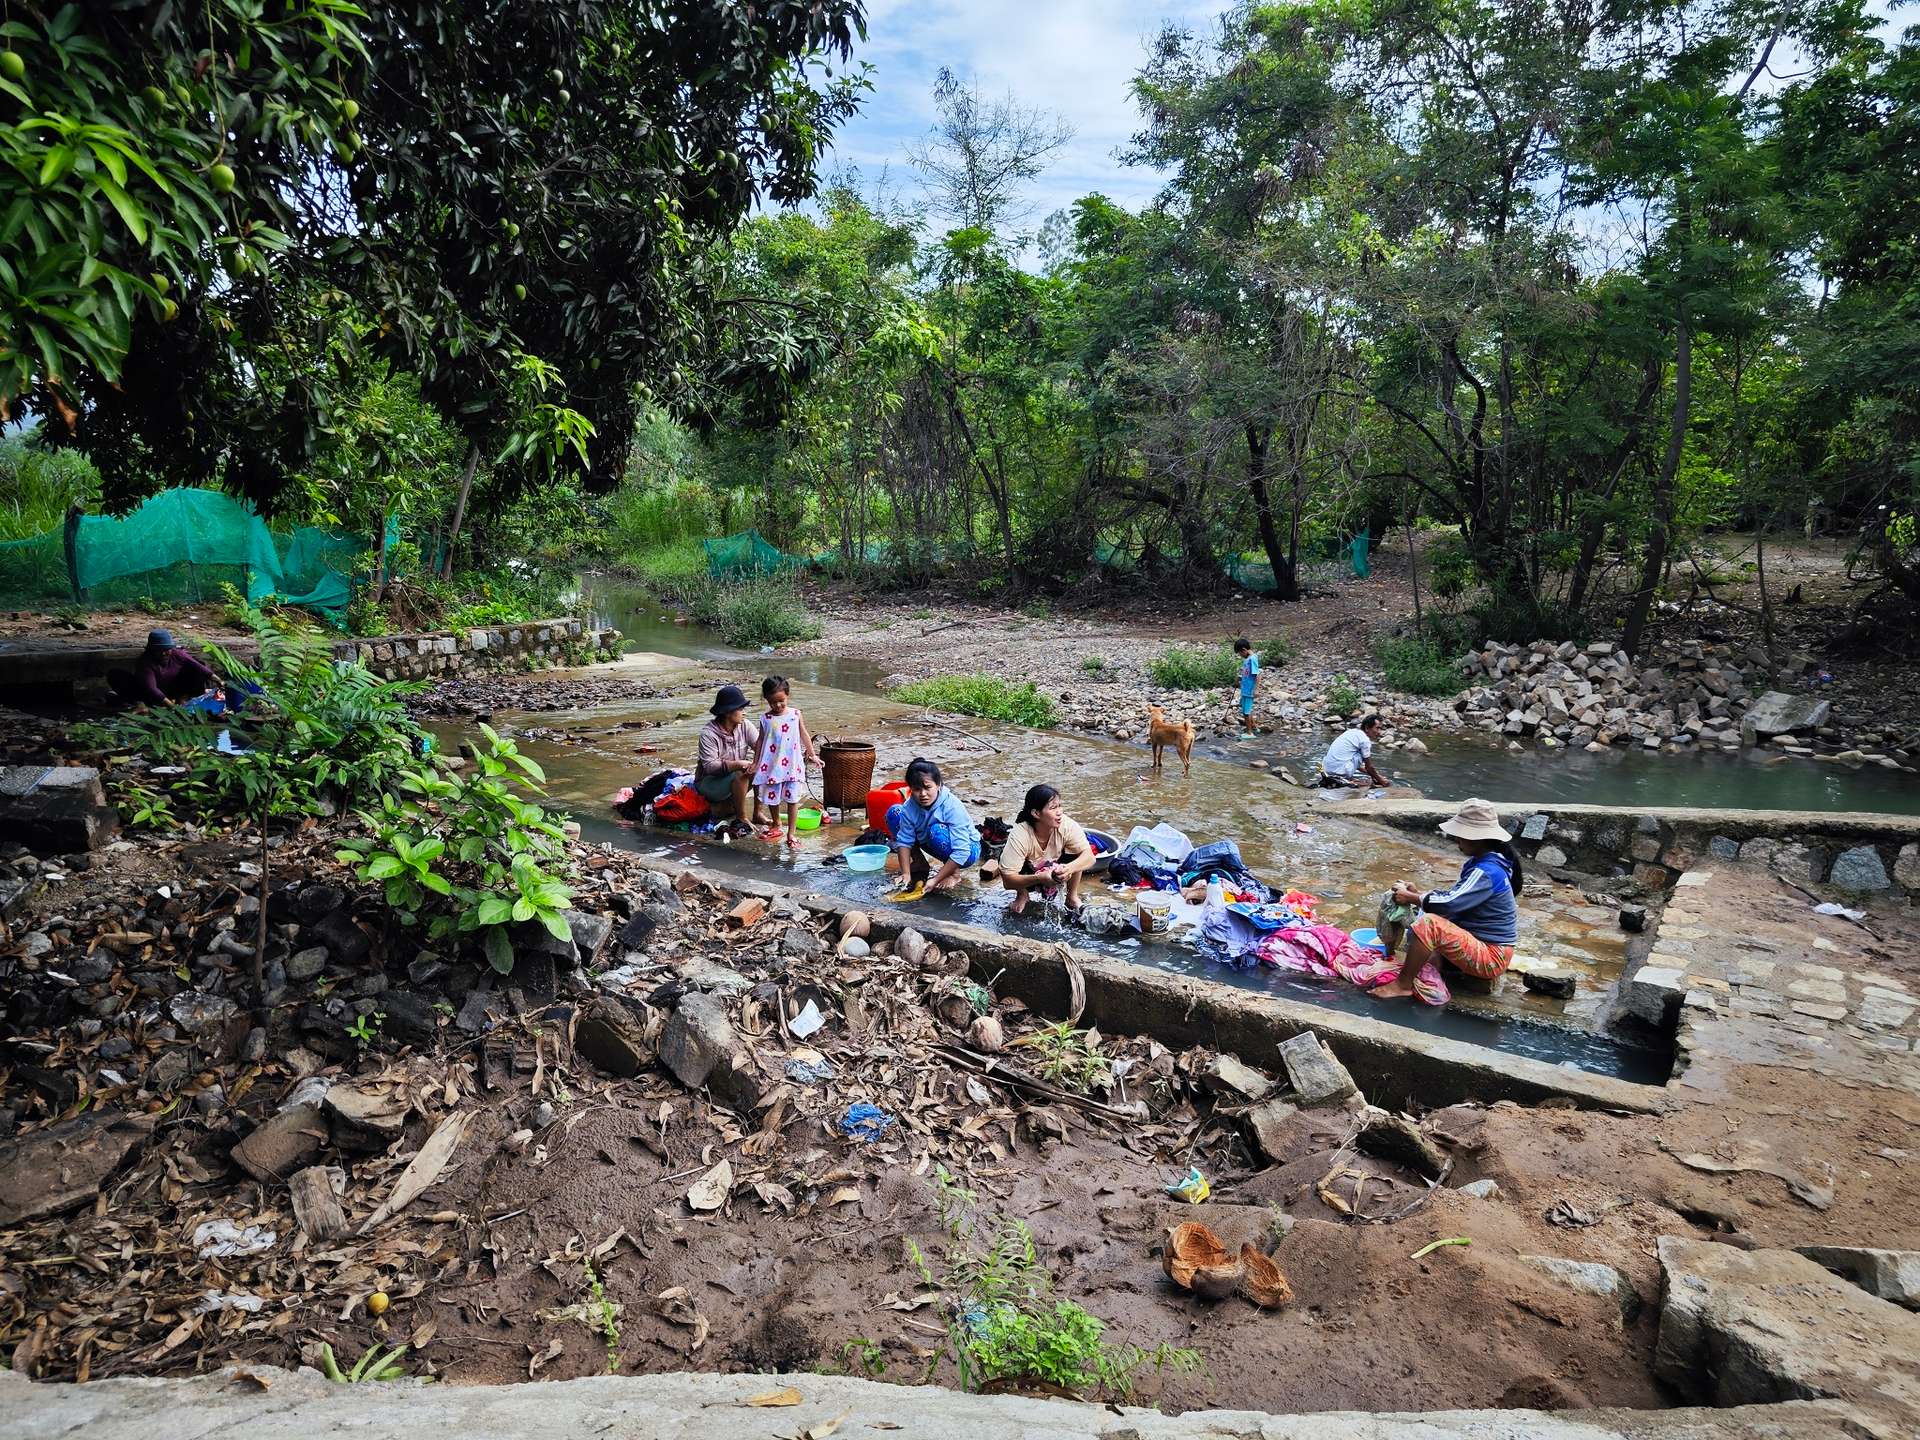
<point x="191" y="193"/>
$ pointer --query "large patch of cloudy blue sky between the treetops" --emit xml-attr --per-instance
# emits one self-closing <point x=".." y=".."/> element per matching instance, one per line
<point x="1070" y="57"/>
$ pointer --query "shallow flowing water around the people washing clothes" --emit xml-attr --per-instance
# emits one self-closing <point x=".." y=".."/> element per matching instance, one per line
<point x="1107" y="784"/>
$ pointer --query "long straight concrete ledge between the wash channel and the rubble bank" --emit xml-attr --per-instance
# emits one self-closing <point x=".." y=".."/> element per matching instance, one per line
<point x="1389" y="1061"/>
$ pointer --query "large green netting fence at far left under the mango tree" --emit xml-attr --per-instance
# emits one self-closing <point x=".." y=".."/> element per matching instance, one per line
<point x="180" y="548"/>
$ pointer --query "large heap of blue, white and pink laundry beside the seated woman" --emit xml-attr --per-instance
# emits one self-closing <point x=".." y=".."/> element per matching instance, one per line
<point x="1243" y="923"/>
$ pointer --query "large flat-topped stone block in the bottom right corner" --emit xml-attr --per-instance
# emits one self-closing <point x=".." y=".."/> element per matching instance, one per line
<point x="1767" y="1326"/>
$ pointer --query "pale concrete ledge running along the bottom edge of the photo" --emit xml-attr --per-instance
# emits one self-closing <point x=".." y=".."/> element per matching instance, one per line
<point x="262" y="1403"/>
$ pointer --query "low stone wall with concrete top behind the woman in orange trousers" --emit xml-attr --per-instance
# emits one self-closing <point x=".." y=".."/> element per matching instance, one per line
<point x="1854" y="853"/>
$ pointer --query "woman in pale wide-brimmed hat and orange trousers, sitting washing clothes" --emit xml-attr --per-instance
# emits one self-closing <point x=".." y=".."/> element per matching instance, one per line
<point x="1474" y="924"/>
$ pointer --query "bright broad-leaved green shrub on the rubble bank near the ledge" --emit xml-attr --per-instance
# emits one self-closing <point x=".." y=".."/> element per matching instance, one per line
<point x="469" y="855"/>
